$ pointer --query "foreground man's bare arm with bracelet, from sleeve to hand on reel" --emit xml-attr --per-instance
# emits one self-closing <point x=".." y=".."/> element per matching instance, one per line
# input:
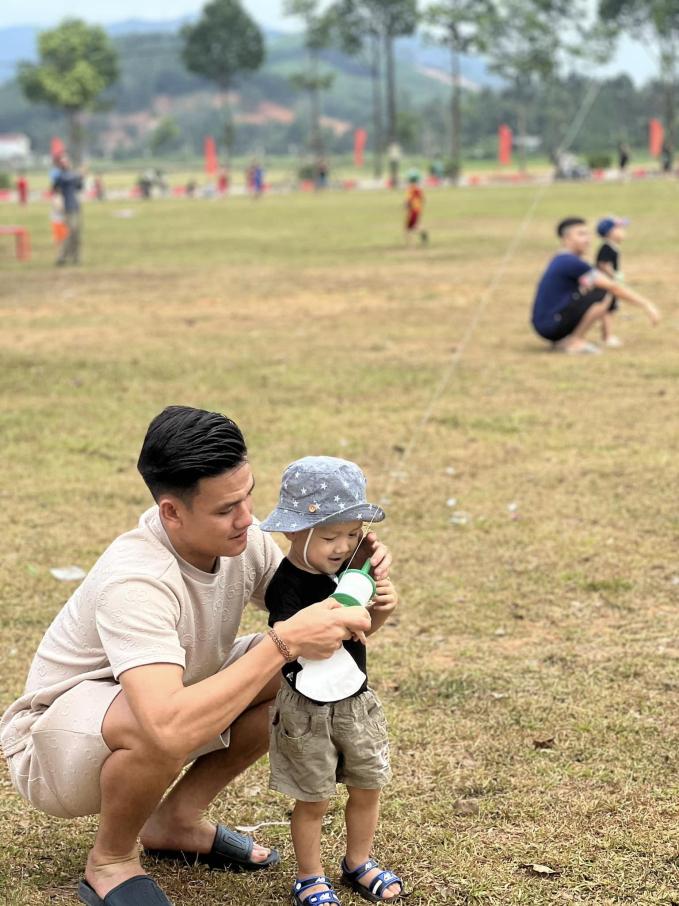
<point x="180" y="719"/>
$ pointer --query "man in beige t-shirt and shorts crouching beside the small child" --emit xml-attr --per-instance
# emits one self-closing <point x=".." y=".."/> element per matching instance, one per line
<point x="142" y="673"/>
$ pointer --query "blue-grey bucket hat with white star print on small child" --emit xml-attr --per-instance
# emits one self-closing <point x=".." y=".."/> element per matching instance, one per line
<point x="319" y="490"/>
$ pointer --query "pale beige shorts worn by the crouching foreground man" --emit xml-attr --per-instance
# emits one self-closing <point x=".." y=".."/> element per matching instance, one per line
<point x="58" y="772"/>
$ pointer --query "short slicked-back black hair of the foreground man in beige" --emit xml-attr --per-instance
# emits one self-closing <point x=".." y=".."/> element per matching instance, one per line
<point x="183" y="445"/>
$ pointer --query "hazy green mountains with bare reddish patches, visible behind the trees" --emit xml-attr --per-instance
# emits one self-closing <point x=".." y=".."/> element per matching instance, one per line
<point x="154" y="85"/>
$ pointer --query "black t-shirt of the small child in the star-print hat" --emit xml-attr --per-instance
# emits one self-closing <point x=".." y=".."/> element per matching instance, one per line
<point x="288" y="592"/>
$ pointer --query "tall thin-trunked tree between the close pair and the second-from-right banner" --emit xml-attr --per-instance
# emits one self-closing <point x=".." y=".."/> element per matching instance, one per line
<point x="462" y="25"/>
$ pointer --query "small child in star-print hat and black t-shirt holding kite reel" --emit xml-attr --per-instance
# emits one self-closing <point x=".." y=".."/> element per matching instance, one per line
<point x="328" y="725"/>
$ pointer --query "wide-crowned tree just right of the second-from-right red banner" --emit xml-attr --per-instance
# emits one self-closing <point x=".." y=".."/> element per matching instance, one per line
<point x="528" y="41"/>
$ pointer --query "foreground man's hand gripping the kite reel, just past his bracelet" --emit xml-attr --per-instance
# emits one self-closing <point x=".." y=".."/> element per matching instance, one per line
<point x="318" y="631"/>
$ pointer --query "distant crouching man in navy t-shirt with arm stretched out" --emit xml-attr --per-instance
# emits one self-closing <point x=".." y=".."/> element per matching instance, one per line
<point x="572" y="295"/>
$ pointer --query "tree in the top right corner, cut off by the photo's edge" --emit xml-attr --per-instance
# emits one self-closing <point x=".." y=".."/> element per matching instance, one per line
<point x="657" y="21"/>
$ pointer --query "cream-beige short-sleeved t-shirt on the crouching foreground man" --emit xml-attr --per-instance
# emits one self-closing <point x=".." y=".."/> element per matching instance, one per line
<point x="142" y="604"/>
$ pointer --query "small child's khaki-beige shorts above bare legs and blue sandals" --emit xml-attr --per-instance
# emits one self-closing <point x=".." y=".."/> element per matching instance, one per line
<point x="314" y="747"/>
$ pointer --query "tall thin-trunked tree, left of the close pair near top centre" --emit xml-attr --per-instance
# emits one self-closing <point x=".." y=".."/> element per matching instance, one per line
<point x="359" y="35"/>
